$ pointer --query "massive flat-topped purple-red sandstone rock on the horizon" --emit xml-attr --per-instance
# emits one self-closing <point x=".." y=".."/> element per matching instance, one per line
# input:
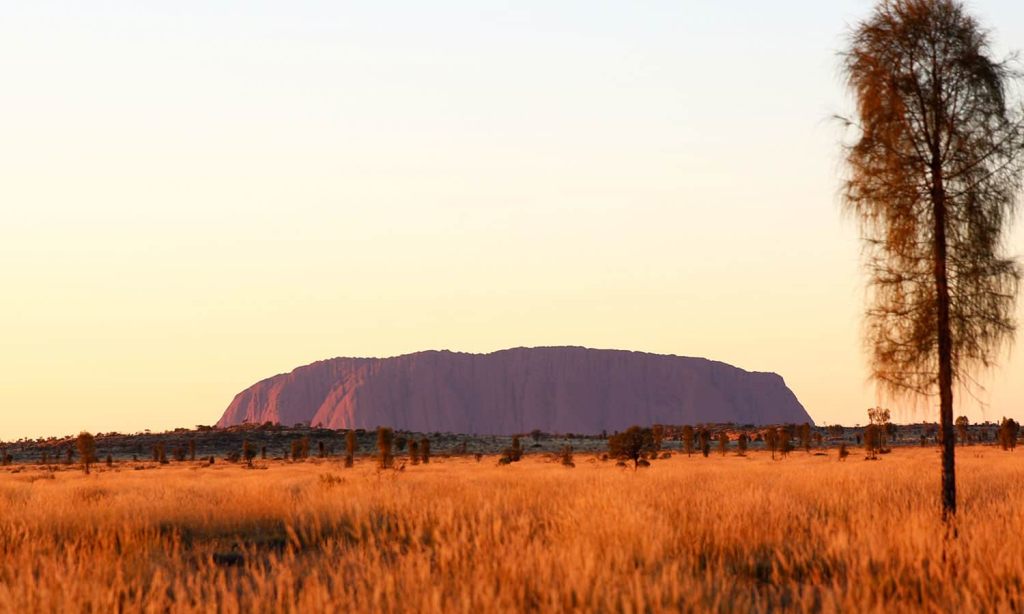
<point x="557" y="390"/>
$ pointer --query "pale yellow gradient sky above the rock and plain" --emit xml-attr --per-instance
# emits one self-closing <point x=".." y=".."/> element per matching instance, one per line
<point x="196" y="196"/>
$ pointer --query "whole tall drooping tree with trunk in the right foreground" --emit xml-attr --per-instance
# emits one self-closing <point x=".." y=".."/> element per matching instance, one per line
<point x="934" y="171"/>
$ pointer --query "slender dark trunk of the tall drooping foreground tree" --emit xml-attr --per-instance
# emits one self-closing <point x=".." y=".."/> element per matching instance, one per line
<point x="946" y="344"/>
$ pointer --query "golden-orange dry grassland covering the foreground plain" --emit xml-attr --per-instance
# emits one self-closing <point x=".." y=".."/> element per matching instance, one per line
<point x="724" y="534"/>
